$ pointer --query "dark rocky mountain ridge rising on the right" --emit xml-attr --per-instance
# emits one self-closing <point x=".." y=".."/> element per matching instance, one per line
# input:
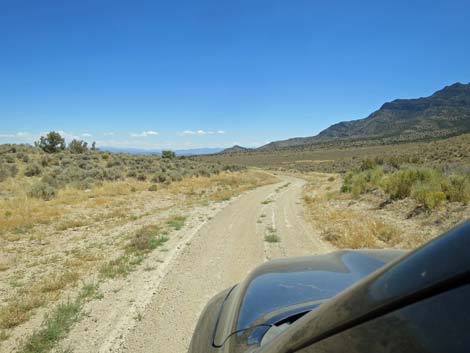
<point x="444" y="113"/>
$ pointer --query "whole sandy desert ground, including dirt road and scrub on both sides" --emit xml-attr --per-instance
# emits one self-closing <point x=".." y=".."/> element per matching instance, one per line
<point x="127" y="263"/>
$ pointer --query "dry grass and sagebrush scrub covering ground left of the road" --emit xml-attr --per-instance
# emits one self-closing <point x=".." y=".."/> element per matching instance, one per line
<point x="71" y="213"/>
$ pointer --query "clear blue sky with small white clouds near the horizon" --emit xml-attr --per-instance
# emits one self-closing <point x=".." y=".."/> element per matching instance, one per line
<point x="212" y="73"/>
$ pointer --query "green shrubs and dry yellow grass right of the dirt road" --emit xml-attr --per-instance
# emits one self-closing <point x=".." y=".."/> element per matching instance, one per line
<point x="378" y="207"/>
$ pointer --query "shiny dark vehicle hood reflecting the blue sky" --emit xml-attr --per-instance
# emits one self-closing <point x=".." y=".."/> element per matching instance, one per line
<point x="286" y="287"/>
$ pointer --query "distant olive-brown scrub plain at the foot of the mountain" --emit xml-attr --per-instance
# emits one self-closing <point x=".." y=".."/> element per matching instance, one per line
<point x="342" y="156"/>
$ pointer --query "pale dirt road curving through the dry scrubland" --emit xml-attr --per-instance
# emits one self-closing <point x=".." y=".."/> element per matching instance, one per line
<point x="212" y="256"/>
